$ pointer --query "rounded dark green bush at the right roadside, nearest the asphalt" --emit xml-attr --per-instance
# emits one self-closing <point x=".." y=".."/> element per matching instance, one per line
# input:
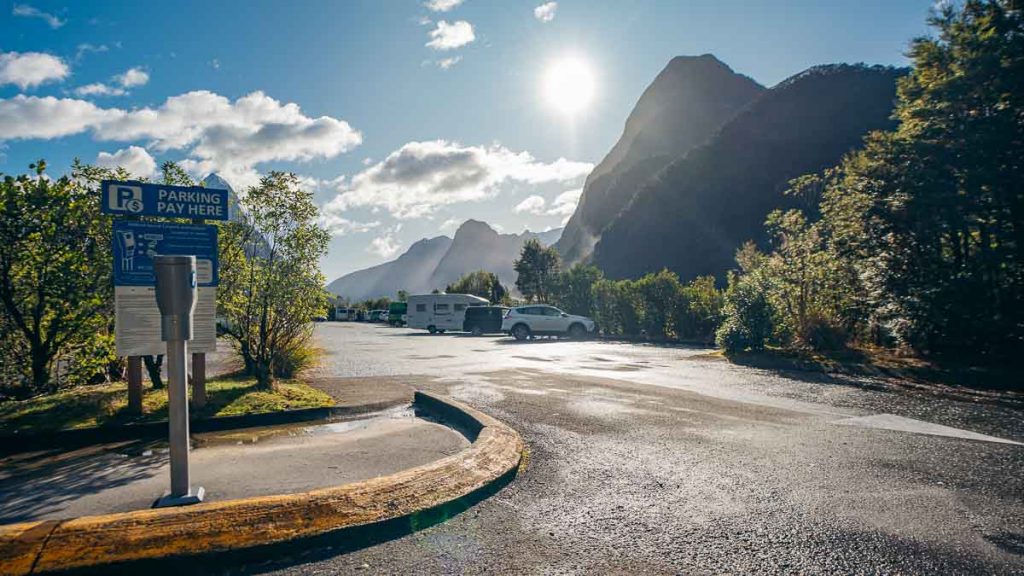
<point x="749" y="320"/>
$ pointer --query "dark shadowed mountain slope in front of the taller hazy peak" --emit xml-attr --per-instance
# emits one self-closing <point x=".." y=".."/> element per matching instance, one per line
<point x="693" y="216"/>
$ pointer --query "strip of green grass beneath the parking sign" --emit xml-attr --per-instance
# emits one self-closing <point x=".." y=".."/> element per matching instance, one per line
<point x="107" y="404"/>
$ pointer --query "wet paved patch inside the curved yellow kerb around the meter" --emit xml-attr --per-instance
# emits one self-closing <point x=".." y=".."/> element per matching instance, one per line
<point x="130" y="476"/>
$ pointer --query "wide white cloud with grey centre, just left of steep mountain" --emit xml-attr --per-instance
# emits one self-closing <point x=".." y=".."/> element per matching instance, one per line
<point x="422" y="177"/>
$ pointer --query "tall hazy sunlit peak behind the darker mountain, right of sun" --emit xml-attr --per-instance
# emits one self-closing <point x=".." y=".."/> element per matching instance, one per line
<point x="686" y="105"/>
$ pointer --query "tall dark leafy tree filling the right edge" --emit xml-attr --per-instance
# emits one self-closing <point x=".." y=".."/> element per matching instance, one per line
<point x="931" y="217"/>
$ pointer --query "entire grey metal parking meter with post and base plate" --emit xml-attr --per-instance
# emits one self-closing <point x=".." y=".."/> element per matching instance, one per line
<point x="177" y="301"/>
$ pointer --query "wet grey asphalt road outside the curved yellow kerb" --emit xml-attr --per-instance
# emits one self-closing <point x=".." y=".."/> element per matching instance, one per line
<point x="651" y="460"/>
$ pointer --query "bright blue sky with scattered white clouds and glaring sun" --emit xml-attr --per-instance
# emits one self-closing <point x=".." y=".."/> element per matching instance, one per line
<point x="405" y="118"/>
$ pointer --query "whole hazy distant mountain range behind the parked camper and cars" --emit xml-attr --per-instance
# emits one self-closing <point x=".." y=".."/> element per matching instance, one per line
<point x="436" y="263"/>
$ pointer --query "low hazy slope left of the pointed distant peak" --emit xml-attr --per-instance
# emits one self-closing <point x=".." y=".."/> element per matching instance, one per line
<point x="409" y="272"/>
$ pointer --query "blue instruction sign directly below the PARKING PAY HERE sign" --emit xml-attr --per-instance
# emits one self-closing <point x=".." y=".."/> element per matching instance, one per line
<point x="137" y="243"/>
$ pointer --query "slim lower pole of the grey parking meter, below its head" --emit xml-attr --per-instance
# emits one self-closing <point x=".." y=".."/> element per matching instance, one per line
<point x="178" y="408"/>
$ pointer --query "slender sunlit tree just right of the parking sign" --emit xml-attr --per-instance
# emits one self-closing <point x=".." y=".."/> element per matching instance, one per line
<point x="271" y="279"/>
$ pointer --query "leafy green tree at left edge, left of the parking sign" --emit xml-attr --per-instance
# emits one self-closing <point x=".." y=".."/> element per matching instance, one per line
<point x="55" y="269"/>
